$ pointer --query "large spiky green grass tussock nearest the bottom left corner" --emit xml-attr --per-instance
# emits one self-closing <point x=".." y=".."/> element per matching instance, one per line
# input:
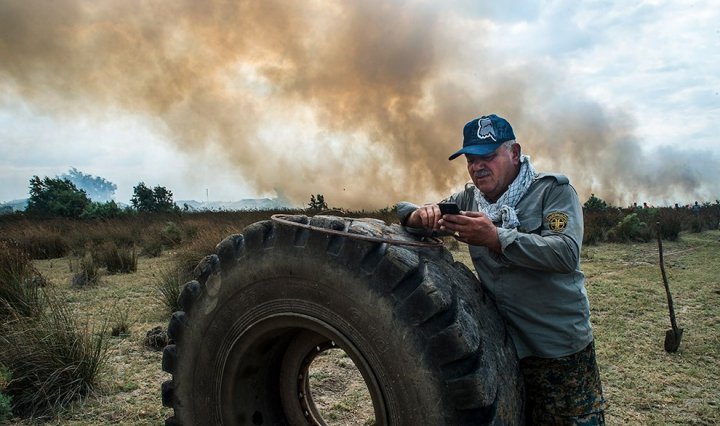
<point x="53" y="361"/>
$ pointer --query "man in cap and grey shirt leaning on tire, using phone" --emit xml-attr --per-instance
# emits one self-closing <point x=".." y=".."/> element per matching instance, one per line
<point x="524" y="232"/>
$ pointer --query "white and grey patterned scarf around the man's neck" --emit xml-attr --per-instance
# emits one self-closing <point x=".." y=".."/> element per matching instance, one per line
<point x="504" y="209"/>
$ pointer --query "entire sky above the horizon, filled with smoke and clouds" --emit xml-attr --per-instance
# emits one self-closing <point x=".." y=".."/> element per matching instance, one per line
<point x="361" y="101"/>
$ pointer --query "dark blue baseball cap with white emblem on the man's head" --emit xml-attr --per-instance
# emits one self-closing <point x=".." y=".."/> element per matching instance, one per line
<point x="482" y="136"/>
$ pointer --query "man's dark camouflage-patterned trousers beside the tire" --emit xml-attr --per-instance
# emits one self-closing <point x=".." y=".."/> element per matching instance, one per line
<point x="563" y="391"/>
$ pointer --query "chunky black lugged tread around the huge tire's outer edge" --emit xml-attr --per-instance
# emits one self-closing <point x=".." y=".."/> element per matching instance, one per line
<point x="420" y="283"/>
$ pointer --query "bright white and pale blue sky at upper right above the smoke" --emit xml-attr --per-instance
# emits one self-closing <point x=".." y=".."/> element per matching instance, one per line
<point x="657" y="60"/>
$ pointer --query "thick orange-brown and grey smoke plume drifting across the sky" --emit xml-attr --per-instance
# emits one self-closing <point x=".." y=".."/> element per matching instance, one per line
<point x="360" y="101"/>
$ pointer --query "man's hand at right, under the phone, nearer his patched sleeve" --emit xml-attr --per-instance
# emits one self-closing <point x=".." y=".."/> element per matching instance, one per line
<point x="472" y="228"/>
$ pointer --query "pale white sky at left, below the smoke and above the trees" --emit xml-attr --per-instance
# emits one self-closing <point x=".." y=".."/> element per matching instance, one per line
<point x="119" y="147"/>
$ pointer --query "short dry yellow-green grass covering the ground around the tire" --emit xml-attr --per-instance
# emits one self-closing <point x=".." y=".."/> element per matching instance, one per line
<point x="643" y="384"/>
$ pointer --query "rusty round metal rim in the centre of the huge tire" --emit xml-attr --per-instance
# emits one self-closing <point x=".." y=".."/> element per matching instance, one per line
<point x="286" y="344"/>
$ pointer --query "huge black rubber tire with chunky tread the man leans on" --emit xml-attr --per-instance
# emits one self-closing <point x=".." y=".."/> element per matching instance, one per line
<point x="428" y="342"/>
